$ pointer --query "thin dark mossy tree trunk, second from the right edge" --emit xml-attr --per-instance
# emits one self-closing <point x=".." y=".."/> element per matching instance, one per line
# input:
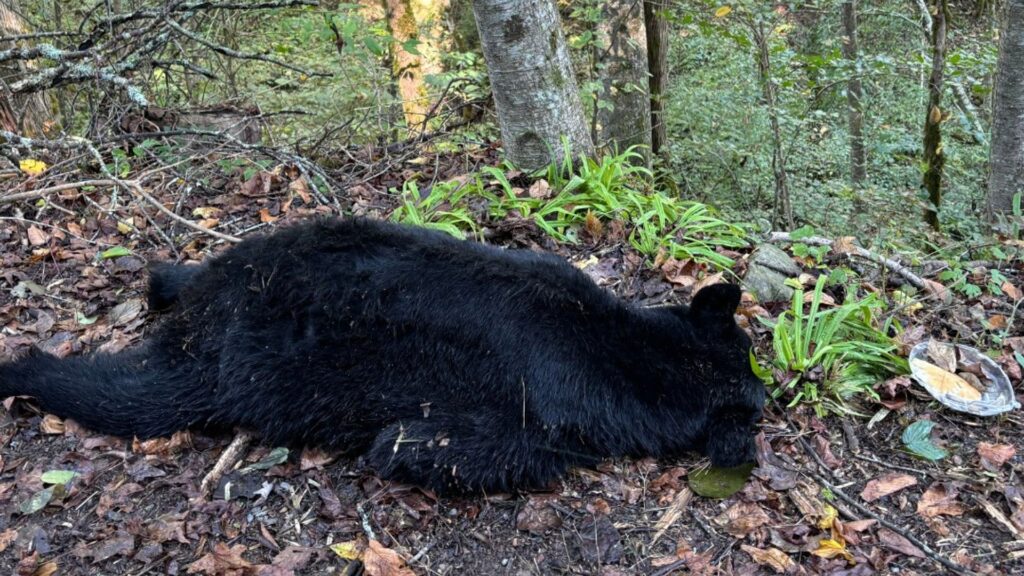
<point x="934" y="156"/>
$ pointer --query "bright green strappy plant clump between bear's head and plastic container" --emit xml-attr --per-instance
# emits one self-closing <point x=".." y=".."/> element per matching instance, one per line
<point x="831" y="355"/>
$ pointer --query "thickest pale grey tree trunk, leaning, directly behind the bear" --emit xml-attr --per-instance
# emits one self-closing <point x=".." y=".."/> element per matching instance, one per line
<point x="533" y="81"/>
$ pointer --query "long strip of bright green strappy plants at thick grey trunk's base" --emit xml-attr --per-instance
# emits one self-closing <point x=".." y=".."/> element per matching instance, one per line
<point x="615" y="188"/>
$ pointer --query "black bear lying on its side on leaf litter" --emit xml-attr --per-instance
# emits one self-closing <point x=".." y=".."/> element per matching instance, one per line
<point x="453" y="365"/>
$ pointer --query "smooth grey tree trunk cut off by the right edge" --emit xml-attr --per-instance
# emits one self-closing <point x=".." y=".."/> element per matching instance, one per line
<point x="1007" y="177"/>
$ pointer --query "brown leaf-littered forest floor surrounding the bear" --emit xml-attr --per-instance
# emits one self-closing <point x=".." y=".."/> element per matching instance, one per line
<point x="823" y="484"/>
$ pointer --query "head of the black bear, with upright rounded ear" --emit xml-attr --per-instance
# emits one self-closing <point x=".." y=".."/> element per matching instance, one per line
<point x="733" y="396"/>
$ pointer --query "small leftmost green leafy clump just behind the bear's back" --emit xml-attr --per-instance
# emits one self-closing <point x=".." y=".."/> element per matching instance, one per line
<point x="440" y="210"/>
